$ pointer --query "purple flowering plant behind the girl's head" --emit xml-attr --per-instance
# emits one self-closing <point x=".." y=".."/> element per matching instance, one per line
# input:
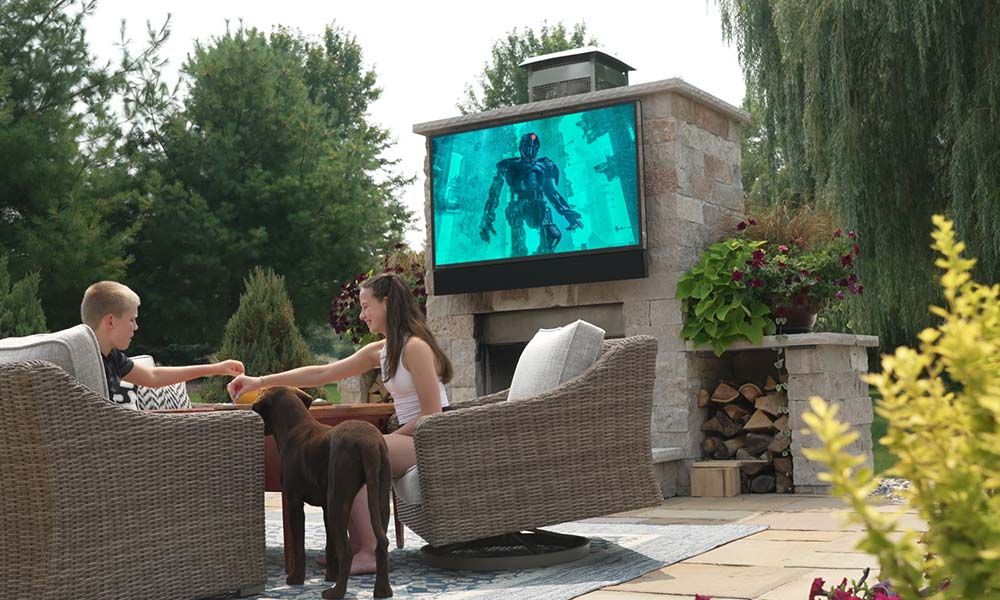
<point x="345" y="308"/>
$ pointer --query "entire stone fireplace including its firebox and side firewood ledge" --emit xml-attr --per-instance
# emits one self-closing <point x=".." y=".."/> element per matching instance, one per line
<point x="693" y="197"/>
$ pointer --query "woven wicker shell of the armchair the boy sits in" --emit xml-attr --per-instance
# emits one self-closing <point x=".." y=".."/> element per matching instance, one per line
<point x="100" y="502"/>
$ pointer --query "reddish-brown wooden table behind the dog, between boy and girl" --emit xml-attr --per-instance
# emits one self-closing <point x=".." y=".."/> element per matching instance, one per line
<point x="377" y="414"/>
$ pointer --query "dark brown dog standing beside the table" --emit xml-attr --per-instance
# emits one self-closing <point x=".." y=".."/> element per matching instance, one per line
<point x="326" y="466"/>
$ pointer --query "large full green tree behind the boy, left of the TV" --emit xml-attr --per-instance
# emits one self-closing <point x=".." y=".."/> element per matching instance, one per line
<point x="270" y="161"/>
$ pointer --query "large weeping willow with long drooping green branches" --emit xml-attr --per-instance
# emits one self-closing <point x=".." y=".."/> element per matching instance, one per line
<point x="888" y="110"/>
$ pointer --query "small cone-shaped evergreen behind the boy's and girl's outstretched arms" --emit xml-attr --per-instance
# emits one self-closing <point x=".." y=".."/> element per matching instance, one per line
<point x="262" y="333"/>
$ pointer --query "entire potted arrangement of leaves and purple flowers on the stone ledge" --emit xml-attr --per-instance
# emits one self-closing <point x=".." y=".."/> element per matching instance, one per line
<point x="768" y="278"/>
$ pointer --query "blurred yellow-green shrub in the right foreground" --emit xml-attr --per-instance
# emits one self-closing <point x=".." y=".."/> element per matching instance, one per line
<point x="942" y="403"/>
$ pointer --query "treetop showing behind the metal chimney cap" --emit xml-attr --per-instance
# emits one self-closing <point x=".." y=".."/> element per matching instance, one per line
<point x="503" y="82"/>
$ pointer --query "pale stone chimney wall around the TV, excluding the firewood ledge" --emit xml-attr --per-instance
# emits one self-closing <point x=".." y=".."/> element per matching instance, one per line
<point x="693" y="195"/>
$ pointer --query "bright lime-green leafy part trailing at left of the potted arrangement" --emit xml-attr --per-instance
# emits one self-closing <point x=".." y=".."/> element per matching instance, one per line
<point x="719" y="307"/>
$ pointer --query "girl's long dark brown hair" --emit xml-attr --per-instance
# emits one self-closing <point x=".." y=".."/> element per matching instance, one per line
<point x="403" y="318"/>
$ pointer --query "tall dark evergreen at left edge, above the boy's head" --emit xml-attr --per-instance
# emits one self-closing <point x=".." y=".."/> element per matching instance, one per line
<point x="65" y="181"/>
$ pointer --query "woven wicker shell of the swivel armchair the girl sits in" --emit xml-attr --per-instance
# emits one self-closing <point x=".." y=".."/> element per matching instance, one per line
<point x="581" y="450"/>
